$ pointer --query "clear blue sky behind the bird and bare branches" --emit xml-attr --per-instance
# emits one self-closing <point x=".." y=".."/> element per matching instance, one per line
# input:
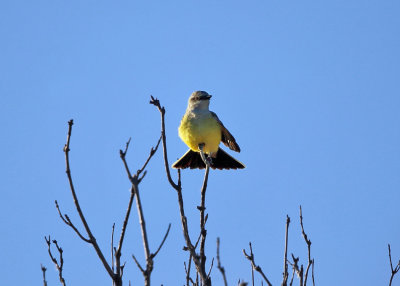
<point x="310" y="90"/>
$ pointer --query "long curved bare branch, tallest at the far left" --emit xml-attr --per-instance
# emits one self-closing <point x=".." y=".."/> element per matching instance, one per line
<point x="92" y="239"/>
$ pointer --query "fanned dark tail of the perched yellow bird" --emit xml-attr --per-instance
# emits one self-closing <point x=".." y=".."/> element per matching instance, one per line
<point x="192" y="160"/>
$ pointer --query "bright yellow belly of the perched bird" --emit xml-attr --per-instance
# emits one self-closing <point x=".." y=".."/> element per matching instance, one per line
<point x="196" y="130"/>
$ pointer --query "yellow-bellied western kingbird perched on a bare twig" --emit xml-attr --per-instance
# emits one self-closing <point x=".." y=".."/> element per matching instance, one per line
<point x="202" y="131"/>
